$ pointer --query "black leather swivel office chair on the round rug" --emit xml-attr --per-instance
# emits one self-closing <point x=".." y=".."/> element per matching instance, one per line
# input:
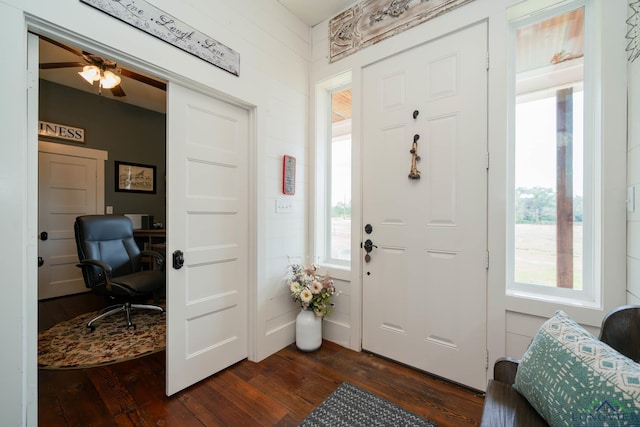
<point x="111" y="263"/>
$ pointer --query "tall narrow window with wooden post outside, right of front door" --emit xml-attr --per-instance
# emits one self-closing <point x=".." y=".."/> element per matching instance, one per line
<point x="552" y="226"/>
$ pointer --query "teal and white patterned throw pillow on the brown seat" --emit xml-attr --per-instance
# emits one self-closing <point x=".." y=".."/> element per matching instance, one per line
<point x="573" y="379"/>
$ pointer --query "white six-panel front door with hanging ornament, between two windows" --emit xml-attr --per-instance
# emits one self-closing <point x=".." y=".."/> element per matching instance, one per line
<point x="424" y="287"/>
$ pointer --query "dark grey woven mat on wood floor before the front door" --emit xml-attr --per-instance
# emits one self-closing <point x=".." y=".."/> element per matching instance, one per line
<point x="352" y="406"/>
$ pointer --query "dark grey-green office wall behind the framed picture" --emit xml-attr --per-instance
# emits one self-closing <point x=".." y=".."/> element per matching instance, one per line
<point x="126" y="132"/>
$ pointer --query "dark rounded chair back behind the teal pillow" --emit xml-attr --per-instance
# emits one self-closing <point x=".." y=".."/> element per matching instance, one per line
<point x="621" y="330"/>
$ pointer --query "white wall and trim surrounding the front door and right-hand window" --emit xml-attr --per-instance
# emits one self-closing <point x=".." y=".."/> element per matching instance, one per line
<point x="512" y="322"/>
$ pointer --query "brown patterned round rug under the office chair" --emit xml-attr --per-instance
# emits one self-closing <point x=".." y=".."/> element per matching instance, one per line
<point x="70" y="345"/>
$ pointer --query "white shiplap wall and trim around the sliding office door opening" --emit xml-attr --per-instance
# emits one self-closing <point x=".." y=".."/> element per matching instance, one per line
<point x="274" y="48"/>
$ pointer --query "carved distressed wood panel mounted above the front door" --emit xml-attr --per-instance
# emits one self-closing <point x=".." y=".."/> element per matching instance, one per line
<point x="371" y="21"/>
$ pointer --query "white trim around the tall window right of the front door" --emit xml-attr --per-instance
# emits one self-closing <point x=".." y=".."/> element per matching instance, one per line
<point x="608" y="179"/>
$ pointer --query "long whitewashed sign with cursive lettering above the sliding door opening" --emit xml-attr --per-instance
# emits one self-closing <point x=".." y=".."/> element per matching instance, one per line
<point x="152" y="20"/>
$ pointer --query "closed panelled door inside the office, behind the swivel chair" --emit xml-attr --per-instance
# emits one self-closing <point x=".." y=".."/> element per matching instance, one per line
<point x="70" y="183"/>
